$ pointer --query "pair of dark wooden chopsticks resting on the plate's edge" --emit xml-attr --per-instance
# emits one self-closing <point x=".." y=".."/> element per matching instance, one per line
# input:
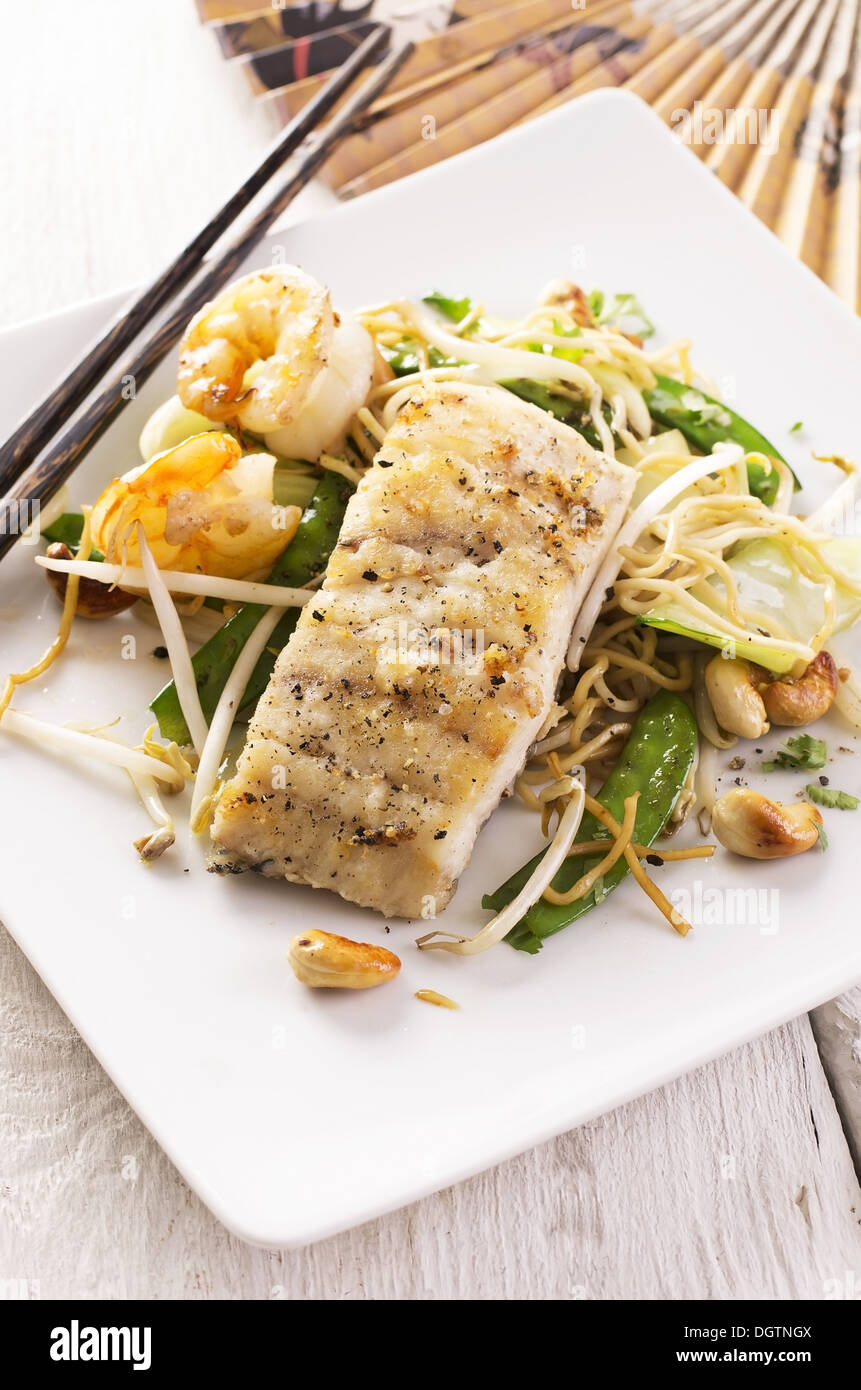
<point x="29" y="482"/>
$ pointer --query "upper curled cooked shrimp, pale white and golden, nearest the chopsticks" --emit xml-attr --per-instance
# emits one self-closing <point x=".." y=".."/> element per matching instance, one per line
<point x="272" y="357"/>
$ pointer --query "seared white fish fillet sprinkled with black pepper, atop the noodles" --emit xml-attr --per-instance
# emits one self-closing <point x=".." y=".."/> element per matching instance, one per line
<point x="418" y="678"/>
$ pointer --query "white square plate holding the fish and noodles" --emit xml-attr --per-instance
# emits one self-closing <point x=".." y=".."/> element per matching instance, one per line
<point x="298" y="1114"/>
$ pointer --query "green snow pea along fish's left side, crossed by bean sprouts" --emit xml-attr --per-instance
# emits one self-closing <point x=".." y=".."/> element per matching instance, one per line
<point x="304" y="558"/>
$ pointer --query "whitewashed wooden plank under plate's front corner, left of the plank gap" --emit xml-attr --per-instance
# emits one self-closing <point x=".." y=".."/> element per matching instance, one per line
<point x="734" y="1182"/>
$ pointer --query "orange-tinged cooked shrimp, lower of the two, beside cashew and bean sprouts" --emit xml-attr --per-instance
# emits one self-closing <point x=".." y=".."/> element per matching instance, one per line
<point x="204" y="508"/>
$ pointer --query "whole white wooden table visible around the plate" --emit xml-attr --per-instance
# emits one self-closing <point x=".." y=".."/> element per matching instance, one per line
<point x="124" y="130"/>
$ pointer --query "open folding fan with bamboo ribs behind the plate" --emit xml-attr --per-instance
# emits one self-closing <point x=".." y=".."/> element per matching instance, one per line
<point x="767" y="92"/>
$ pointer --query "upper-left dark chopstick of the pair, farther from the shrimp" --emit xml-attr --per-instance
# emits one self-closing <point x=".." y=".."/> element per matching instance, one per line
<point x="69" y="395"/>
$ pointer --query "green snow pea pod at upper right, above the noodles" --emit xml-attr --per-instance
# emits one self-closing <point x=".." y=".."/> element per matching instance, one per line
<point x="706" y="422"/>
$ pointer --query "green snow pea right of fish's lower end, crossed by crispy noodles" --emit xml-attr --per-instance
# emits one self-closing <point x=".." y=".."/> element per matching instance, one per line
<point x="654" y="762"/>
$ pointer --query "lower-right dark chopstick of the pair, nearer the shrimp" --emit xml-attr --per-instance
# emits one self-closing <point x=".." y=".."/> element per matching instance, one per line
<point x="40" y="484"/>
